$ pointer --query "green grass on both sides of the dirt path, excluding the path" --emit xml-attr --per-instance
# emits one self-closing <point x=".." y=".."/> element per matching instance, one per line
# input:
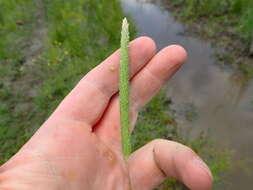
<point x="80" y="35"/>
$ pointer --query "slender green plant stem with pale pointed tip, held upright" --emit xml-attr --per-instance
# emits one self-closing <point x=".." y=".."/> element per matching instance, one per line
<point x="124" y="90"/>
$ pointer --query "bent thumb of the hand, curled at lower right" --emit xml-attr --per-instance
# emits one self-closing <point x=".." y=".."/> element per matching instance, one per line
<point x="152" y="164"/>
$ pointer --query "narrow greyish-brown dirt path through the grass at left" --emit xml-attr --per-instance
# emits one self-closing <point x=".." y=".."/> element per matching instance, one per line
<point x="27" y="85"/>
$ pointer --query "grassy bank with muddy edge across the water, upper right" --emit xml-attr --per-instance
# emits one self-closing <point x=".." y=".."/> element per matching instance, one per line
<point x="226" y="23"/>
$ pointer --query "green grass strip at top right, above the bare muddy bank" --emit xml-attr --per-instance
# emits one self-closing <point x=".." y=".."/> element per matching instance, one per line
<point x="237" y="13"/>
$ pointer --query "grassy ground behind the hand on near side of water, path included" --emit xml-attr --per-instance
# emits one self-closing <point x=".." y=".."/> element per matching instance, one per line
<point x="76" y="36"/>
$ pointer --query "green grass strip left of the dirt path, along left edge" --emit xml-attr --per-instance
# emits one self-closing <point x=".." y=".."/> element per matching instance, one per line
<point x="12" y="133"/>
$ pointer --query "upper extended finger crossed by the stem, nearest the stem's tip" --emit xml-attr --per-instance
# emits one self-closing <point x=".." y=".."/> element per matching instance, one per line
<point x="88" y="100"/>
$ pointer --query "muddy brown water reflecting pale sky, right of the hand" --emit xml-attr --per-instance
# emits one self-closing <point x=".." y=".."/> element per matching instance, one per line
<point x="207" y="96"/>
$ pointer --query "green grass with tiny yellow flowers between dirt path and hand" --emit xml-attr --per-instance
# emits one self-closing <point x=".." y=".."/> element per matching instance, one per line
<point x="80" y="35"/>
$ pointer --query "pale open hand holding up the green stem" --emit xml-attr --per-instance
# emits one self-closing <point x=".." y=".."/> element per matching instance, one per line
<point x="79" y="146"/>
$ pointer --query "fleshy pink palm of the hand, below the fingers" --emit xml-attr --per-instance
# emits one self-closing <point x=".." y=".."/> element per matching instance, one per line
<point x="71" y="157"/>
